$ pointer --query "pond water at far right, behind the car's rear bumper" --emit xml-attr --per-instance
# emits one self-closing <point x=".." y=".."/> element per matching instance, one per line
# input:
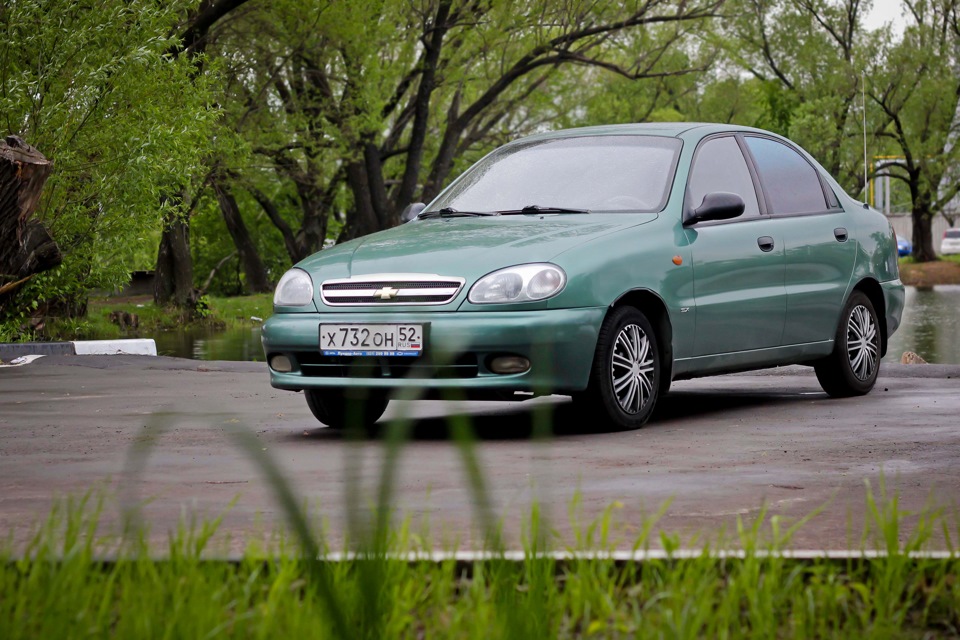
<point x="930" y="327"/>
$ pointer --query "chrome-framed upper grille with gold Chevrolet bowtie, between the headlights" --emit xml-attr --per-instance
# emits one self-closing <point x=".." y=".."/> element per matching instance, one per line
<point x="396" y="289"/>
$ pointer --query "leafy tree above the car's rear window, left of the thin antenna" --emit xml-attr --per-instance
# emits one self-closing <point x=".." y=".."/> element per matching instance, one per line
<point x="808" y="56"/>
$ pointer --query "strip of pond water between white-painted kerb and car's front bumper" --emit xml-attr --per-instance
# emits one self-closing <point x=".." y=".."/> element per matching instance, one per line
<point x="207" y="344"/>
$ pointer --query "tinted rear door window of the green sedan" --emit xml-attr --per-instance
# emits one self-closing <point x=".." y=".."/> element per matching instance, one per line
<point x="790" y="183"/>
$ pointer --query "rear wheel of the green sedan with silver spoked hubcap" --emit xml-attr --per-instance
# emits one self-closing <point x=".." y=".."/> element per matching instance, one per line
<point x="852" y="368"/>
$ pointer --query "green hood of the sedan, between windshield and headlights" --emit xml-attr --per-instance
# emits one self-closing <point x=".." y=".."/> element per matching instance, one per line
<point x="466" y="247"/>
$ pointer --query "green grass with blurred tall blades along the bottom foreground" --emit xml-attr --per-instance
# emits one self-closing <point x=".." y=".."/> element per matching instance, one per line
<point x="72" y="580"/>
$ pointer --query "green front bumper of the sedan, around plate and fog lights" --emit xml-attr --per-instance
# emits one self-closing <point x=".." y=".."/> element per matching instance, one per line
<point x="559" y="343"/>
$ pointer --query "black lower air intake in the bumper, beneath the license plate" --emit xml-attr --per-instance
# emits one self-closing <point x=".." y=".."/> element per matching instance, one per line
<point x="317" y="365"/>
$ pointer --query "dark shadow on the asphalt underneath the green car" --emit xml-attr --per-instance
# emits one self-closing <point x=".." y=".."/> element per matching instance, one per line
<point x="521" y="421"/>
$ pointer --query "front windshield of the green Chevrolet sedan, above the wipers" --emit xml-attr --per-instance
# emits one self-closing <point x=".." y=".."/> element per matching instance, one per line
<point x="596" y="173"/>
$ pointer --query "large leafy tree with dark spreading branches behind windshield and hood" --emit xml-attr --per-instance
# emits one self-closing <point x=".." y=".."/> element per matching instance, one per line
<point x="361" y="108"/>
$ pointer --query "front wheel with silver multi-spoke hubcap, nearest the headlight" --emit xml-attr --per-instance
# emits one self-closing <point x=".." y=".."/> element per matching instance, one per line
<point x="625" y="378"/>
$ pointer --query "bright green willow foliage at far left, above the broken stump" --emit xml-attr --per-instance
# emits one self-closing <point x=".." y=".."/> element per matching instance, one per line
<point x="92" y="86"/>
